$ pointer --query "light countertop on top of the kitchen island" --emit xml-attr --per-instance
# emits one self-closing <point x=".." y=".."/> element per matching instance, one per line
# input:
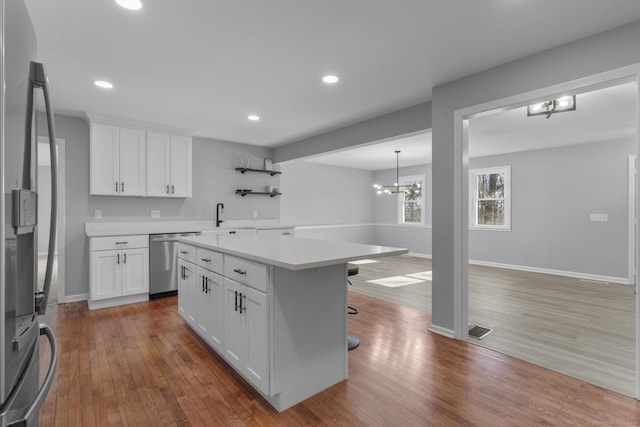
<point x="292" y="253"/>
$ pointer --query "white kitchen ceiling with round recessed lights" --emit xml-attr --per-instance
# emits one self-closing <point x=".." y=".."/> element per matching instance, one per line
<point x="205" y="65"/>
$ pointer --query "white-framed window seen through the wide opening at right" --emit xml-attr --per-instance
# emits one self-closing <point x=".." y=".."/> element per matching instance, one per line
<point x="490" y="191"/>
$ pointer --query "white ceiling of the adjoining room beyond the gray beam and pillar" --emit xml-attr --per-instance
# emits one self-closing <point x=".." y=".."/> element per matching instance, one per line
<point x="601" y="115"/>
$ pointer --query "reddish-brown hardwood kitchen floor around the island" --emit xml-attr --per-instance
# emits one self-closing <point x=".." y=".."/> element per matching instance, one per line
<point x="141" y="365"/>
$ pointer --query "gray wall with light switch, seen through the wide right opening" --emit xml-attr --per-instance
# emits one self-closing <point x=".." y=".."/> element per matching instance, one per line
<point x="553" y="193"/>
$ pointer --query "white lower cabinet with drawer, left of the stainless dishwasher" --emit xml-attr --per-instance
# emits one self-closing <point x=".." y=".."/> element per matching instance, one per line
<point x="119" y="270"/>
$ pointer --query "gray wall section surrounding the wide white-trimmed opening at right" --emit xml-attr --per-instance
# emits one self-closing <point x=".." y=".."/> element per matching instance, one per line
<point x="586" y="57"/>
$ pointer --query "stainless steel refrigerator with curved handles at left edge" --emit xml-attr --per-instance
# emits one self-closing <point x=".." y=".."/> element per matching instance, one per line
<point x="24" y="87"/>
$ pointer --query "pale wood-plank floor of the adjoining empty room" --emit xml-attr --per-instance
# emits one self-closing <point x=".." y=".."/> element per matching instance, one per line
<point x="580" y="328"/>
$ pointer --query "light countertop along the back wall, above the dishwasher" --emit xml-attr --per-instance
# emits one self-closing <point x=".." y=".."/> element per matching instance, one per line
<point x="98" y="229"/>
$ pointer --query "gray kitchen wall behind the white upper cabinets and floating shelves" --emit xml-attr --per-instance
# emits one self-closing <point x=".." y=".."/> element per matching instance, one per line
<point x="214" y="180"/>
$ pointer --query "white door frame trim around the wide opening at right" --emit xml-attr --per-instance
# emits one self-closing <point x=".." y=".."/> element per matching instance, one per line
<point x="461" y="149"/>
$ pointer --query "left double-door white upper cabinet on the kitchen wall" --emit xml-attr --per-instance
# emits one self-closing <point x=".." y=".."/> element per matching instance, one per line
<point x="117" y="161"/>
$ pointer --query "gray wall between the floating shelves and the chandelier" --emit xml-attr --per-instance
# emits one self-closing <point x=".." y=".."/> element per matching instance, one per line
<point x="322" y="194"/>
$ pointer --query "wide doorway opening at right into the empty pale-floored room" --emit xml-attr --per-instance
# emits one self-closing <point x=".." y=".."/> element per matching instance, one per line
<point x="567" y="234"/>
